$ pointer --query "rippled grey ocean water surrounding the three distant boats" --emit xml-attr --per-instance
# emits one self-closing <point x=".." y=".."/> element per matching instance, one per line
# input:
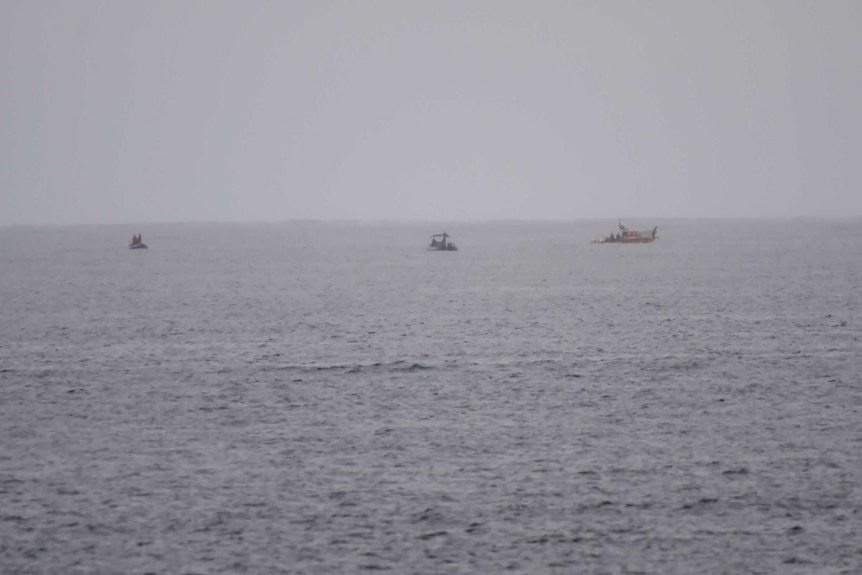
<point x="332" y="398"/>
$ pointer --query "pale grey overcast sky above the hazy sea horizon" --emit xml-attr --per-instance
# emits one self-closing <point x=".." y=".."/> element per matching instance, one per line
<point x="151" y="111"/>
